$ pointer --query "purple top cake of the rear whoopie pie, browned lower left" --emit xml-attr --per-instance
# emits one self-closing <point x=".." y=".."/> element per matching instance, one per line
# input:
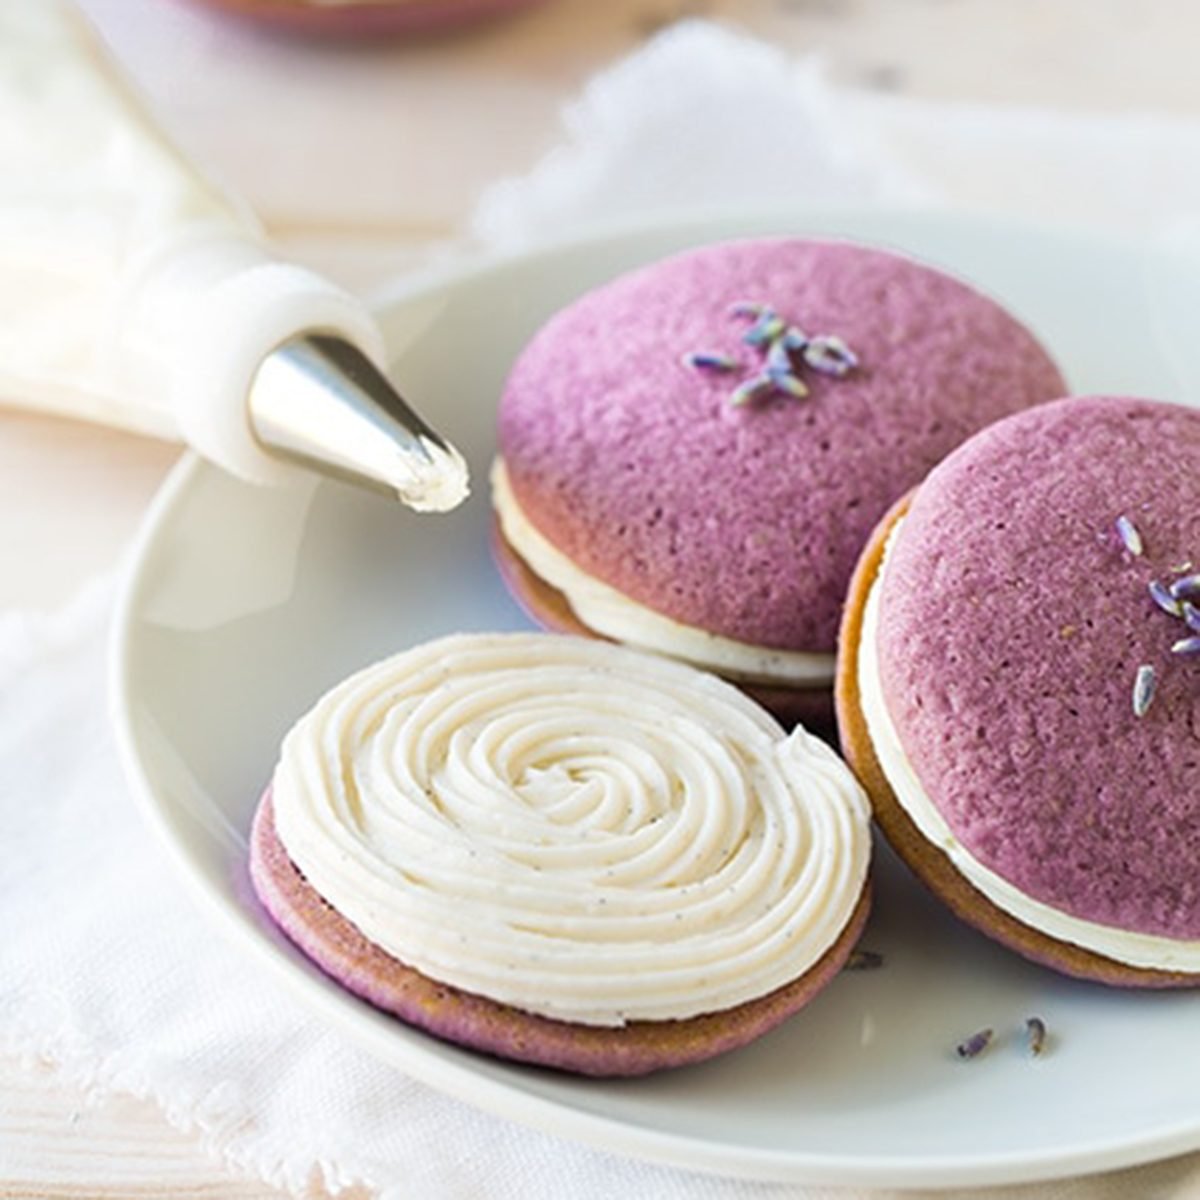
<point x="635" y="459"/>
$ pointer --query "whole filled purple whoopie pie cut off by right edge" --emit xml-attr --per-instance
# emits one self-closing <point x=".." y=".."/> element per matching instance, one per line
<point x="1019" y="687"/>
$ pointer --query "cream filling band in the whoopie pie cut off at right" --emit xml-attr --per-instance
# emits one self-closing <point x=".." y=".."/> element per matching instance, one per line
<point x="1135" y="950"/>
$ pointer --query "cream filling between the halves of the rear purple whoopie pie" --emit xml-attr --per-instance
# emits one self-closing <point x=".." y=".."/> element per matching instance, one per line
<point x="610" y="613"/>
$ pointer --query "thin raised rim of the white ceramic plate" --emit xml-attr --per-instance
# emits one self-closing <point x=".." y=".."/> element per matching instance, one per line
<point x="479" y="1089"/>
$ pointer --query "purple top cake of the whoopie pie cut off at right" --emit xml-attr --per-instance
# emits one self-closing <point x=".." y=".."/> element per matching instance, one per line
<point x="1013" y="623"/>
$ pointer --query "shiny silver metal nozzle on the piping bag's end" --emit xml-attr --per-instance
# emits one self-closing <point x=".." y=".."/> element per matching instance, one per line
<point x="319" y="400"/>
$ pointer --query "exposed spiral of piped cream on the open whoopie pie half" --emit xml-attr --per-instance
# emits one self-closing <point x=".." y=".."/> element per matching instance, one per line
<point x="573" y="829"/>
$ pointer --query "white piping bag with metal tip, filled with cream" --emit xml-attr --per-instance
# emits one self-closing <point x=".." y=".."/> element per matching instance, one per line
<point x="136" y="293"/>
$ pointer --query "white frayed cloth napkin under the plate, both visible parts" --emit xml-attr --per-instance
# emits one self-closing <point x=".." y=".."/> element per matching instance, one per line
<point x="109" y="967"/>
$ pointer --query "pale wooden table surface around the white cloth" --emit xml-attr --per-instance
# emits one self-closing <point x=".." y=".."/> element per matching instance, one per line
<point x="421" y="129"/>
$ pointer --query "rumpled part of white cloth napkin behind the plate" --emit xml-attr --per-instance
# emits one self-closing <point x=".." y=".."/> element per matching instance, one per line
<point x="712" y="119"/>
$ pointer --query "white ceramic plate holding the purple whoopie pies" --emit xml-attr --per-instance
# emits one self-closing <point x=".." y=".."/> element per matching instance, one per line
<point x="244" y="605"/>
